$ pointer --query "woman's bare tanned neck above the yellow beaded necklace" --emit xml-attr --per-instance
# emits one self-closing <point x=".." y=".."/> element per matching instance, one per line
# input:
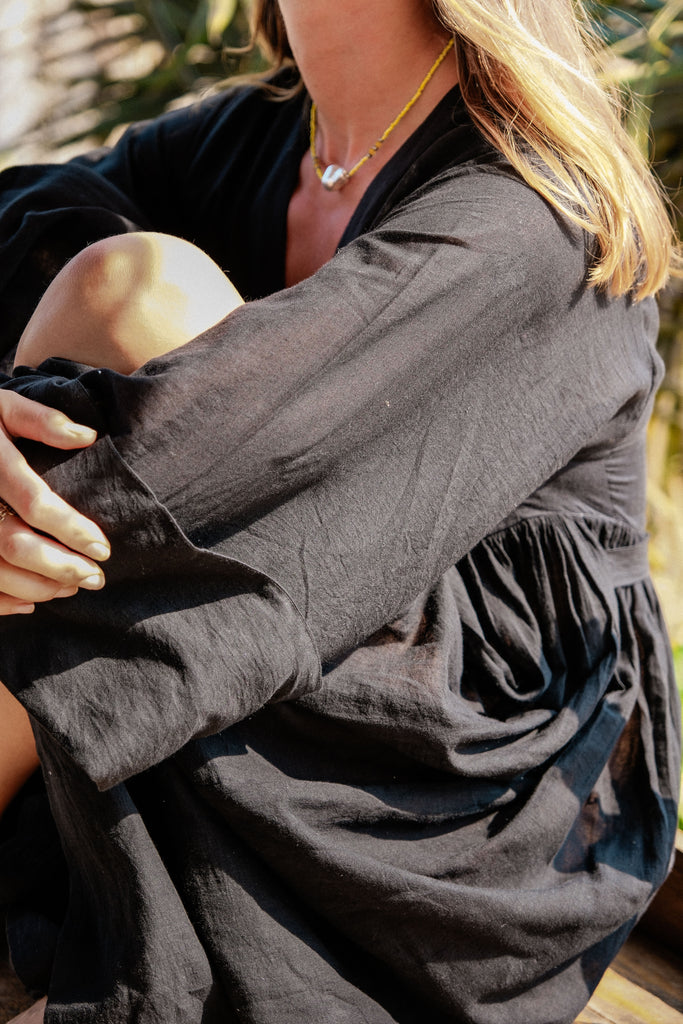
<point x="361" y="64"/>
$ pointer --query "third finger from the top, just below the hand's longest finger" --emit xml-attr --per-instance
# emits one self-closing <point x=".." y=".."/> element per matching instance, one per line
<point x="27" y="558"/>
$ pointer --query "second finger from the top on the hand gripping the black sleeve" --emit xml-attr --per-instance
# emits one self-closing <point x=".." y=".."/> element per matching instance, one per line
<point x="34" y="502"/>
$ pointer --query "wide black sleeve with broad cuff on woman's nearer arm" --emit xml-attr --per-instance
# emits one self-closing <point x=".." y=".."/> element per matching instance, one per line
<point x="287" y="483"/>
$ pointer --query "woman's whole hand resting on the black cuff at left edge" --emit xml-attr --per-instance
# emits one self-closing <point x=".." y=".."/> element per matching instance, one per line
<point x="34" y="568"/>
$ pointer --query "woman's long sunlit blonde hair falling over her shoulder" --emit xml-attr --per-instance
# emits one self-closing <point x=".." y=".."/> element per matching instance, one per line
<point x="530" y="77"/>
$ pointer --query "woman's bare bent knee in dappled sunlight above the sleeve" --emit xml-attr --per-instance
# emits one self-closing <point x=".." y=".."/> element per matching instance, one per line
<point x="126" y="300"/>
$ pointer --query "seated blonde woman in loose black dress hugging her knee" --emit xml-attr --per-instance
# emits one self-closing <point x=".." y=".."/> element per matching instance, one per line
<point x="438" y="425"/>
